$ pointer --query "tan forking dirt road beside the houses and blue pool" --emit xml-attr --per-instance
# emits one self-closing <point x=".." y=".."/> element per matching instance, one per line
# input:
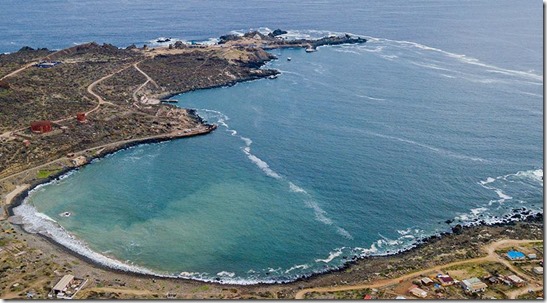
<point x="490" y="249"/>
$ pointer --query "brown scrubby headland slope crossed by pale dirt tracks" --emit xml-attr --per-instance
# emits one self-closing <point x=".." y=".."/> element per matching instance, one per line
<point x="118" y="90"/>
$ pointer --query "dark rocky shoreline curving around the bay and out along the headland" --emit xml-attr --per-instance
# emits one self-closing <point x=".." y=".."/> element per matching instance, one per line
<point x="250" y="72"/>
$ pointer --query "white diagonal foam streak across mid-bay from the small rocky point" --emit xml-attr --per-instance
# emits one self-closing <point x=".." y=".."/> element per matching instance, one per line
<point x="320" y="214"/>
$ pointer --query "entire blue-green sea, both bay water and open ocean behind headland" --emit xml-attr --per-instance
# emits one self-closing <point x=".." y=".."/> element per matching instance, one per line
<point x="353" y="150"/>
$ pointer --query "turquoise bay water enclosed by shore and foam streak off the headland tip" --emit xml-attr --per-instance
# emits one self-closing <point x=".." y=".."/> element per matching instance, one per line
<point x="352" y="150"/>
